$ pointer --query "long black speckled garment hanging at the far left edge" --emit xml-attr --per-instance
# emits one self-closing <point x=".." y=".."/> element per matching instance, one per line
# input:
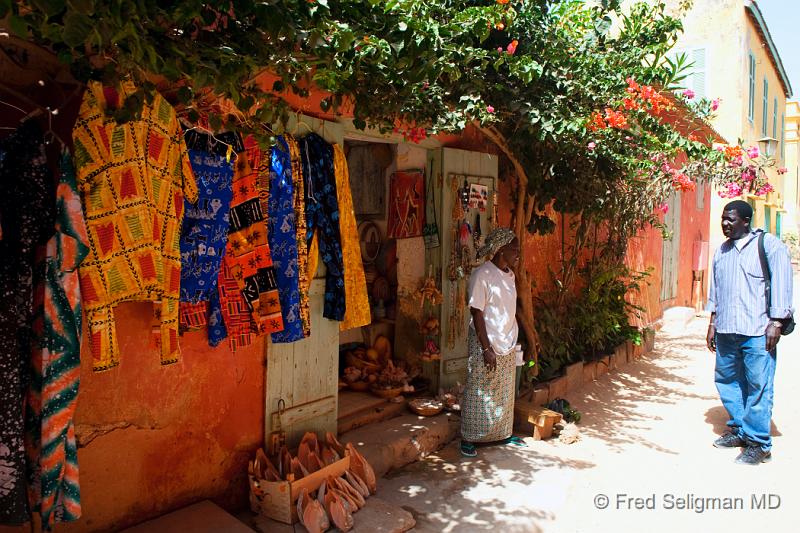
<point x="27" y="212"/>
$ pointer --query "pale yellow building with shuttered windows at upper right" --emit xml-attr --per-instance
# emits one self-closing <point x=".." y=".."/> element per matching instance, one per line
<point x="736" y="61"/>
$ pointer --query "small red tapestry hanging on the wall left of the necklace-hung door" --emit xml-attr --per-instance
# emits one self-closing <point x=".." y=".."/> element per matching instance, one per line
<point x="406" y="204"/>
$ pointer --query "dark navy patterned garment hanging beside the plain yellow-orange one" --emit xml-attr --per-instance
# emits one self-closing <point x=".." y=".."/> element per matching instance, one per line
<point x="322" y="217"/>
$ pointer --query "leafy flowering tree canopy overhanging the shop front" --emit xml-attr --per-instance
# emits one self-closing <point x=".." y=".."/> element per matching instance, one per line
<point x="572" y="92"/>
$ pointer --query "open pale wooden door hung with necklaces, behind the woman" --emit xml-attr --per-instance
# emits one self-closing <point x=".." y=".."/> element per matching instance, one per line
<point x="481" y="169"/>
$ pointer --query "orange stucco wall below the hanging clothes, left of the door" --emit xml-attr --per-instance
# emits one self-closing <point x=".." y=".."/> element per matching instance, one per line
<point x="156" y="438"/>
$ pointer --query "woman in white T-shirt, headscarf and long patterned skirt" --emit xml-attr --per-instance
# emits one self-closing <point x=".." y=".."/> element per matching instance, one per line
<point x="487" y="410"/>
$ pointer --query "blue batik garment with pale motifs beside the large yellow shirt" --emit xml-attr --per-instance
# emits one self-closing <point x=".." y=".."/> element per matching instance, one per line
<point x="204" y="236"/>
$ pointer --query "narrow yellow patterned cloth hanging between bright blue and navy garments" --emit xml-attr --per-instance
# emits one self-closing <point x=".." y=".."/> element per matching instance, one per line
<point x="304" y="276"/>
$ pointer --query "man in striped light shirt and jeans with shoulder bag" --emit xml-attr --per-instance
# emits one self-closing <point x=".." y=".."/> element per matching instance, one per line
<point x="743" y="333"/>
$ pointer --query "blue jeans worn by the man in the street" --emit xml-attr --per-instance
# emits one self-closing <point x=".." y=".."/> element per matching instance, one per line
<point x="745" y="378"/>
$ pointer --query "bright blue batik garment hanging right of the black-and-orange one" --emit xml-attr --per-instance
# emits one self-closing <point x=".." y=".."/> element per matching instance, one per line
<point x="282" y="232"/>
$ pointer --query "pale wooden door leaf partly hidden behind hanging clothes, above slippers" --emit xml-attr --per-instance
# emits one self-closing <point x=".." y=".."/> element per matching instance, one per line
<point x="304" y="374"/>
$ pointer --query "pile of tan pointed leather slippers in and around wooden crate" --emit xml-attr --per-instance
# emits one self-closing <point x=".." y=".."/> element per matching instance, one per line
<point x="337" y="498"/>
